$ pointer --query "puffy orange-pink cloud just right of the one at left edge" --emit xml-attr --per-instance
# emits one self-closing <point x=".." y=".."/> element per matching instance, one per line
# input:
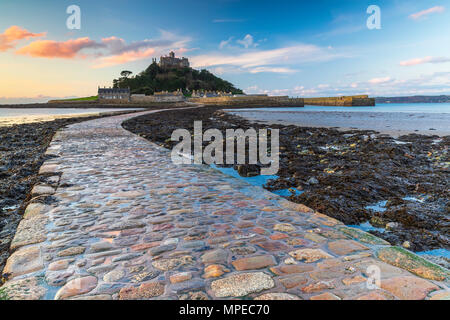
<point x="58" y="49"/>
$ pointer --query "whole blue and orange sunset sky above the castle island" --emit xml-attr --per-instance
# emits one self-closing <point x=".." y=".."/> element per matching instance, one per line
<point x="296" y="48"/>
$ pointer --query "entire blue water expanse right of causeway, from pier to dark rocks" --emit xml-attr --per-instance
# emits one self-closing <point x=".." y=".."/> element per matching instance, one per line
<point x="393" y="119"/>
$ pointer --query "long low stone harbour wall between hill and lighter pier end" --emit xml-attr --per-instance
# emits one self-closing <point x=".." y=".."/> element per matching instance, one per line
<point x="278" y="101"/>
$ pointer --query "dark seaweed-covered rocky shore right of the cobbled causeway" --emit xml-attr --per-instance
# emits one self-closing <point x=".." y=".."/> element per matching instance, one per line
<point x="399" y="185"/>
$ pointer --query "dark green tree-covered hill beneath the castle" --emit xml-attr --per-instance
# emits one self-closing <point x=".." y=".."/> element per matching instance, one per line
<point x="156" y="79"/>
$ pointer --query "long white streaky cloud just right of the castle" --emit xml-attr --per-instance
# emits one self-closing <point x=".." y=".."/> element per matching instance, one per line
<point x="281" y="58"/>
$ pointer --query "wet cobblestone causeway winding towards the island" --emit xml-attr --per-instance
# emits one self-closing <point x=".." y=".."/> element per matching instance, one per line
<point x="126" y="223"/>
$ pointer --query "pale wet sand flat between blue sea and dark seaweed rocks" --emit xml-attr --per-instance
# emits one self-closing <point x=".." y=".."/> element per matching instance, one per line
<point x="392" y="123"/>
